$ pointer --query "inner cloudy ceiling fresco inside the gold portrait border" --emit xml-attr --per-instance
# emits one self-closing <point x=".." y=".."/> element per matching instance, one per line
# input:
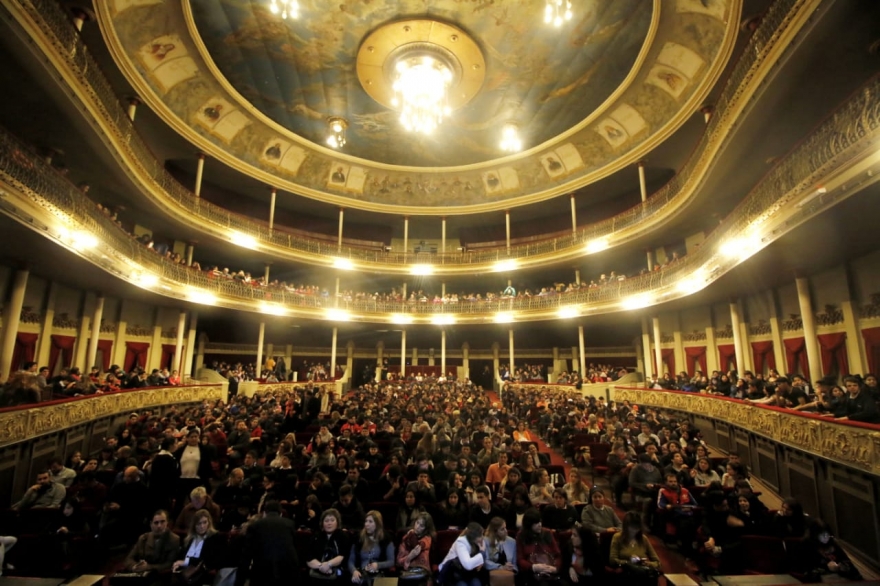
<point x="300" y="72"/>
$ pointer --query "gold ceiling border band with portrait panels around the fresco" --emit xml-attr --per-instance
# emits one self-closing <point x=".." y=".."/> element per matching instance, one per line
<point x="685" y="52"/>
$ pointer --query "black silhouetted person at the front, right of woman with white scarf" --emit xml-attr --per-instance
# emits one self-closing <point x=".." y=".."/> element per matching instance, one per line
<point x="269" y="557"/>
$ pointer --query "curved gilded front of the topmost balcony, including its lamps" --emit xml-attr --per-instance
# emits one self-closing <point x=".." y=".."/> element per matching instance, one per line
<point x="66" y="52"/>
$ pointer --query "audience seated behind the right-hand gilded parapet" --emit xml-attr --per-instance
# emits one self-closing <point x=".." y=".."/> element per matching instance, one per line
<point x="857" y="399"/>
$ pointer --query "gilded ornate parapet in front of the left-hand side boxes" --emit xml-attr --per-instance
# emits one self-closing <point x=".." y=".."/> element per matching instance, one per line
<point x="24" y="424"/>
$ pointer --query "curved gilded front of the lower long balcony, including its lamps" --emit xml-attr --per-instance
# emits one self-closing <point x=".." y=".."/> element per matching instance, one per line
<point x="838" y="159"/>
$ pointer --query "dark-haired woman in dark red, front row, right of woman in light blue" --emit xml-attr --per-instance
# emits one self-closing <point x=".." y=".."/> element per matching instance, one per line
<point x="538" y="557"/>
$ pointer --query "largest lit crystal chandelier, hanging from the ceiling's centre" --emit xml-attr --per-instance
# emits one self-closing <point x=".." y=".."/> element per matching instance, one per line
<point x="420" y="92"/>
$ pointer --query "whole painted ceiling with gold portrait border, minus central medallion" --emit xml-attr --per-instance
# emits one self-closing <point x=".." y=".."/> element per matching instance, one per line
<point x="592" y="97"/>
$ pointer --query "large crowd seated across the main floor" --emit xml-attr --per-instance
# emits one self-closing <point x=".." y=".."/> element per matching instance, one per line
<point x="269" y="488"/>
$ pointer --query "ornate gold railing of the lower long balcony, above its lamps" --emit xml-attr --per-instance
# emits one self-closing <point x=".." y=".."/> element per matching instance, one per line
<point x="845" y="134"/>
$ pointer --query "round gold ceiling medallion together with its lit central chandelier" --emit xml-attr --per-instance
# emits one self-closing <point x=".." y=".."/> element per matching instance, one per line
<point x="422" y="68"/>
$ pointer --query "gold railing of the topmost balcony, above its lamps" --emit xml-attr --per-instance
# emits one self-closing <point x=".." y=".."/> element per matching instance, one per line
<point x="50" y="23"/>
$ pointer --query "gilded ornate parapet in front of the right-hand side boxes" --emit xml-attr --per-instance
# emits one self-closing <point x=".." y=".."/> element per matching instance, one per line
<point x="852" y="446"/>
